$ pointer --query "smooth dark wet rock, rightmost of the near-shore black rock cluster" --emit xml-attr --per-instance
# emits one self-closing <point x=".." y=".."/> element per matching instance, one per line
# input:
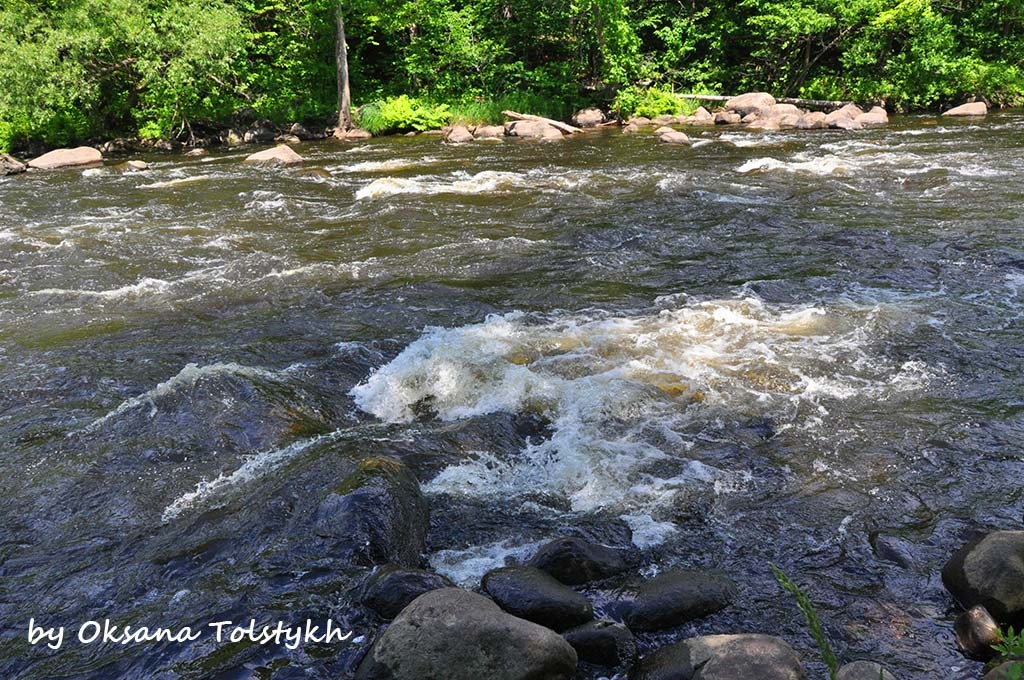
<point x="676" y="598"/>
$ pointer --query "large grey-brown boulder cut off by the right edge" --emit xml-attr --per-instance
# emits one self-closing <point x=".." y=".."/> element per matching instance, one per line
<point x="990" y="571"/>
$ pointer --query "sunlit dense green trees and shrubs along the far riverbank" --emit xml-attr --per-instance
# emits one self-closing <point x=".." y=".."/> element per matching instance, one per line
<point x="77" y="69"/>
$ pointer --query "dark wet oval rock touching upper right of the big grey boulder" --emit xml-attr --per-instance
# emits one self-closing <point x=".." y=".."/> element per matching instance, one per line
<point x="535" y="596"/>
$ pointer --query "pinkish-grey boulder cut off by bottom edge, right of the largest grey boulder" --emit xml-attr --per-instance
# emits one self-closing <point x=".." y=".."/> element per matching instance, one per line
<point x="722" y="658"/>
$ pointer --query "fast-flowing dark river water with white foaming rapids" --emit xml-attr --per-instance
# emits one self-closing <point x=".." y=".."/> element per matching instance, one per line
<point x="800" y="349"/>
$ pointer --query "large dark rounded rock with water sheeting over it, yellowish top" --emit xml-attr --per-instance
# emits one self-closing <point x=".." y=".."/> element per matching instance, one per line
<point x="378" y="515"/>
